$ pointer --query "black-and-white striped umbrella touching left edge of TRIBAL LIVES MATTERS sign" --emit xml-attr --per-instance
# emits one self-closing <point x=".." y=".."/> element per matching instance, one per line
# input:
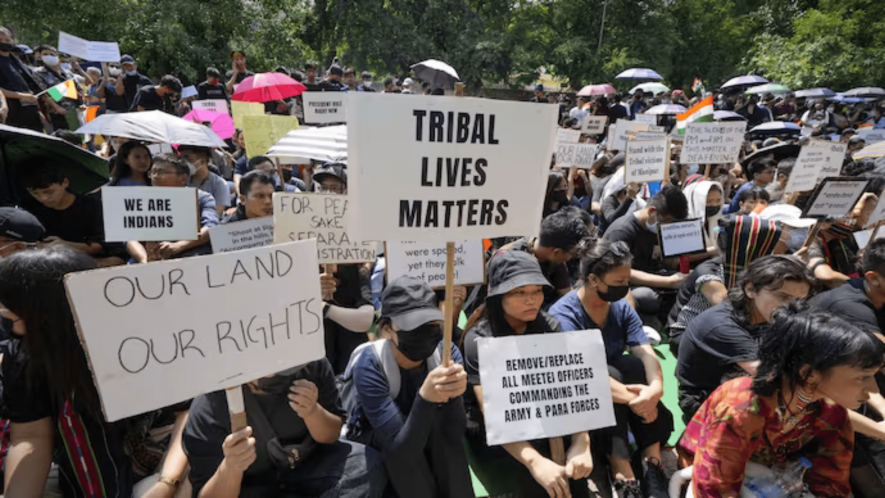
<point x="328" y="144"/>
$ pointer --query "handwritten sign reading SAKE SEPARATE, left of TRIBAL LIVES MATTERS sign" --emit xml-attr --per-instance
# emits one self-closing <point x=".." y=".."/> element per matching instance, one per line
<point x="323" y="217"/>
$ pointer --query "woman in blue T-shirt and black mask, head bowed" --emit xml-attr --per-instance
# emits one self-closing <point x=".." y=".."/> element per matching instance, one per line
<point x="636" y="380"/>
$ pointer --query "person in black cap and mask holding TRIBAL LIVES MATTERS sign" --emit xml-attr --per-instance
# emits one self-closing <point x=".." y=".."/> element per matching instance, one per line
<point x="418" y="430"/>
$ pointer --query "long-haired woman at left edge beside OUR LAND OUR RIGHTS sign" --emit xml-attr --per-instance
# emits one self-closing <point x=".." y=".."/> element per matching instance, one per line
<point x="48" y="393"/>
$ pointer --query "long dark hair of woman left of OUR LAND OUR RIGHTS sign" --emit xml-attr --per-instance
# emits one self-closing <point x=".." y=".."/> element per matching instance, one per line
<point x="31" y="286"/>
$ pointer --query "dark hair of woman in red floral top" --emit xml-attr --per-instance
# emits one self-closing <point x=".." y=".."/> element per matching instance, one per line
<point x="800" y="337"/>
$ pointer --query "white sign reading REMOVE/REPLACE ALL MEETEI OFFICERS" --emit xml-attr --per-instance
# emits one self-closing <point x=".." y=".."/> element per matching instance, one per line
<point x="544" y="385"/>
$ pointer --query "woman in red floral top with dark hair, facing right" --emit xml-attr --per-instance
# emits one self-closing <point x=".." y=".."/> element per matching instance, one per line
<point x="812" y="368"/>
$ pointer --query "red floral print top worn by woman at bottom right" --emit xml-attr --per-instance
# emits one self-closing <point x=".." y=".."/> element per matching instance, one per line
<point x="735" y="426"/>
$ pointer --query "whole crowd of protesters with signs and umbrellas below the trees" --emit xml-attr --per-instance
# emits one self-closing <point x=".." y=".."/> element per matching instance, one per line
<point x="756" y="299"/>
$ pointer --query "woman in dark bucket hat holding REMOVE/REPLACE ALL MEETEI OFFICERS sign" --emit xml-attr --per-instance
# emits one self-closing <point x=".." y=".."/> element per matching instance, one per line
<point x="524" y="469"/>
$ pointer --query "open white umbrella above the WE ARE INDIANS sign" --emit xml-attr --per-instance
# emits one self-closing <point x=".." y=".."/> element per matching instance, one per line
<point x="153" y="126"/>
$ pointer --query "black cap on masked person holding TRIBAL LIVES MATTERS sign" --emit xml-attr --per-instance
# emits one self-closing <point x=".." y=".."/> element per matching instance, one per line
<point x="409" y="303"/>
